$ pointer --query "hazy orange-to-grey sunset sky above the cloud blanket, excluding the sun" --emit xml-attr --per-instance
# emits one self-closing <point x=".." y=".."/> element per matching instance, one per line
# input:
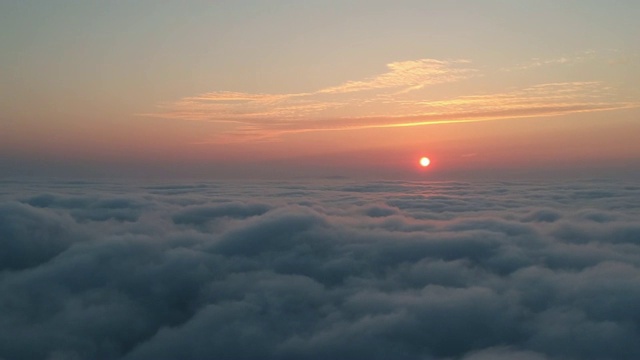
<point x="318" y="88"/>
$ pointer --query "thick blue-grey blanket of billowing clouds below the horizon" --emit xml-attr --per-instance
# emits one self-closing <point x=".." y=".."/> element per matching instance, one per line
<point x="402" y="270"/>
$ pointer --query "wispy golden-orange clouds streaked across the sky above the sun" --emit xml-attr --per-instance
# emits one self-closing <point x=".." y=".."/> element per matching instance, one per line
<point x="402" y="96"/>
